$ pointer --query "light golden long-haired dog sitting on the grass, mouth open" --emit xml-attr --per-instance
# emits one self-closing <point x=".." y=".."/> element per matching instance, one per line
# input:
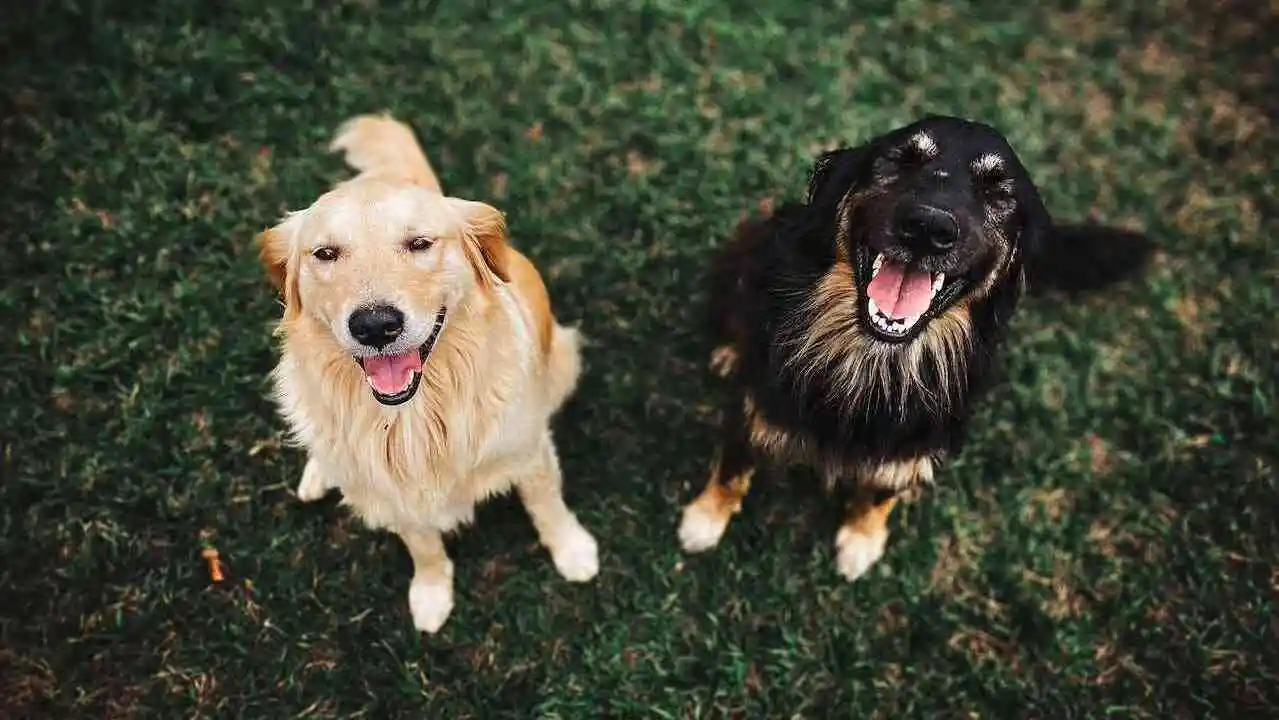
<point x="420" y="361"/>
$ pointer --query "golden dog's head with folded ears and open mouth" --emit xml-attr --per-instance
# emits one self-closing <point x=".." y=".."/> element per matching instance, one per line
<point x="379" y="265"/>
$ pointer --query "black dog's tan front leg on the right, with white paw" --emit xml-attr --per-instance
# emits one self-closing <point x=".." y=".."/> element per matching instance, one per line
<point x="861" y="540"/>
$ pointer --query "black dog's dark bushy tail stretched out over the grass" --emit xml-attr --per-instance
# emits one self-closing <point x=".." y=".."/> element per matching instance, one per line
<point x="1080" y="259"/>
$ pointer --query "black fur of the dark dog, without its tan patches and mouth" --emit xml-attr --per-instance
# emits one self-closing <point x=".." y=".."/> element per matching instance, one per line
<point x="765" y="278"/>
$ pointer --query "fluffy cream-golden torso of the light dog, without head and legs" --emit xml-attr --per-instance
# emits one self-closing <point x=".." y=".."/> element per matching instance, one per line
<point x="427" y="466"/>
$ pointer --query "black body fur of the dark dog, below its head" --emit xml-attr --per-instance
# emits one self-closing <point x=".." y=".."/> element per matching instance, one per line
<point x="763" y="290"/>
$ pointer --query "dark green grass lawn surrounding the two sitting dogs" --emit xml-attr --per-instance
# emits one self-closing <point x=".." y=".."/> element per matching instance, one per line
<point x="1106" y="548"/>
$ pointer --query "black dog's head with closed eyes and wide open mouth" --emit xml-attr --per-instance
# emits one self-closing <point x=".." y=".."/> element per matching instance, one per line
<point x="932" y="217"/>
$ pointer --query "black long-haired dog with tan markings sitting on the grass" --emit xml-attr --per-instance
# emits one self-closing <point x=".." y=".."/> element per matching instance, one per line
<point x="858" y="329"/>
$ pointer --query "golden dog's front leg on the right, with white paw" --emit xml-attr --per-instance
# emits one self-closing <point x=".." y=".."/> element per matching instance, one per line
<point x="572" y="548"/>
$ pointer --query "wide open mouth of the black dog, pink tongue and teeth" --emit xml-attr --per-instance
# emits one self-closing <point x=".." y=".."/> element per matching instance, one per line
<point x="900" y="297"/>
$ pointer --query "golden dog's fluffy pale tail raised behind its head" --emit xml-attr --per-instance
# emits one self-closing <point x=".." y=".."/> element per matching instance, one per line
<point x="383" y="146"/>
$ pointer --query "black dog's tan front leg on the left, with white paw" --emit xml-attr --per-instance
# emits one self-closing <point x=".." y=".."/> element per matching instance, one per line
<point x="707" y="519"/>
